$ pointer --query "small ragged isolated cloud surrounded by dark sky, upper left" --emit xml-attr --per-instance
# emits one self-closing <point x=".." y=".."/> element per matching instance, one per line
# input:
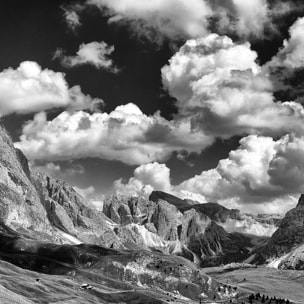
<point x="93" y="53"/>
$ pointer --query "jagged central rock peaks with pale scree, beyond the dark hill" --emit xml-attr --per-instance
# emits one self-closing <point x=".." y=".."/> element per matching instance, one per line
<point x="175" y="226"/>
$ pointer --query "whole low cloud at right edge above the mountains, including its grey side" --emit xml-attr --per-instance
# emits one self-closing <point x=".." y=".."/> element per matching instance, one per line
<point x="261" y="171"/>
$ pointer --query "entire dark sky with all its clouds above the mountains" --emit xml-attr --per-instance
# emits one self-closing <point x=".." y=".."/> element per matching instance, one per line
<point x="201" y="99"/>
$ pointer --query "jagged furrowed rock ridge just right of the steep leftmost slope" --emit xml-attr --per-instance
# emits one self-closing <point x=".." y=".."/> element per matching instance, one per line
<point x="69" y="212"/>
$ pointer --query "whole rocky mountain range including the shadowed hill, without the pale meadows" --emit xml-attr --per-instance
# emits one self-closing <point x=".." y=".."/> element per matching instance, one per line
<point x="160" y="243"/>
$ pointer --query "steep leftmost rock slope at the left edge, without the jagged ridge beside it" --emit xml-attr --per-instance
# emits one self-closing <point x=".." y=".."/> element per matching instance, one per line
<point x="20" y="205"/>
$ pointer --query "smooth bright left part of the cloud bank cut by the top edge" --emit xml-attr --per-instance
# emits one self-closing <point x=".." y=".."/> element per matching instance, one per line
<point x="172" y="18"/>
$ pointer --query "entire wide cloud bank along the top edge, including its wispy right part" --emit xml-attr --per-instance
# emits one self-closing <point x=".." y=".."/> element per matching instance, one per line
<point x="176" y="19"/>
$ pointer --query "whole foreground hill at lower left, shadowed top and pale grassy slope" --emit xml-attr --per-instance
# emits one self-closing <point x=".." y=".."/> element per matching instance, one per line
<point x="42" y="272"/>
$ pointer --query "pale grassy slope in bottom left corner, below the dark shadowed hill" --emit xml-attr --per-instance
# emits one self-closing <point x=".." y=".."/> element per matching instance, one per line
<point x="23" y="286"/>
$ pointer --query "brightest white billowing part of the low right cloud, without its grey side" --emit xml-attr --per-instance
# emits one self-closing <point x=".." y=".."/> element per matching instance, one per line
<point x="243" y="173"/>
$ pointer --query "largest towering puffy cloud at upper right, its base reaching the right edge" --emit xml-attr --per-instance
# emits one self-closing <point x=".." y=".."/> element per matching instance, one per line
<point x="221" y="88"/>
